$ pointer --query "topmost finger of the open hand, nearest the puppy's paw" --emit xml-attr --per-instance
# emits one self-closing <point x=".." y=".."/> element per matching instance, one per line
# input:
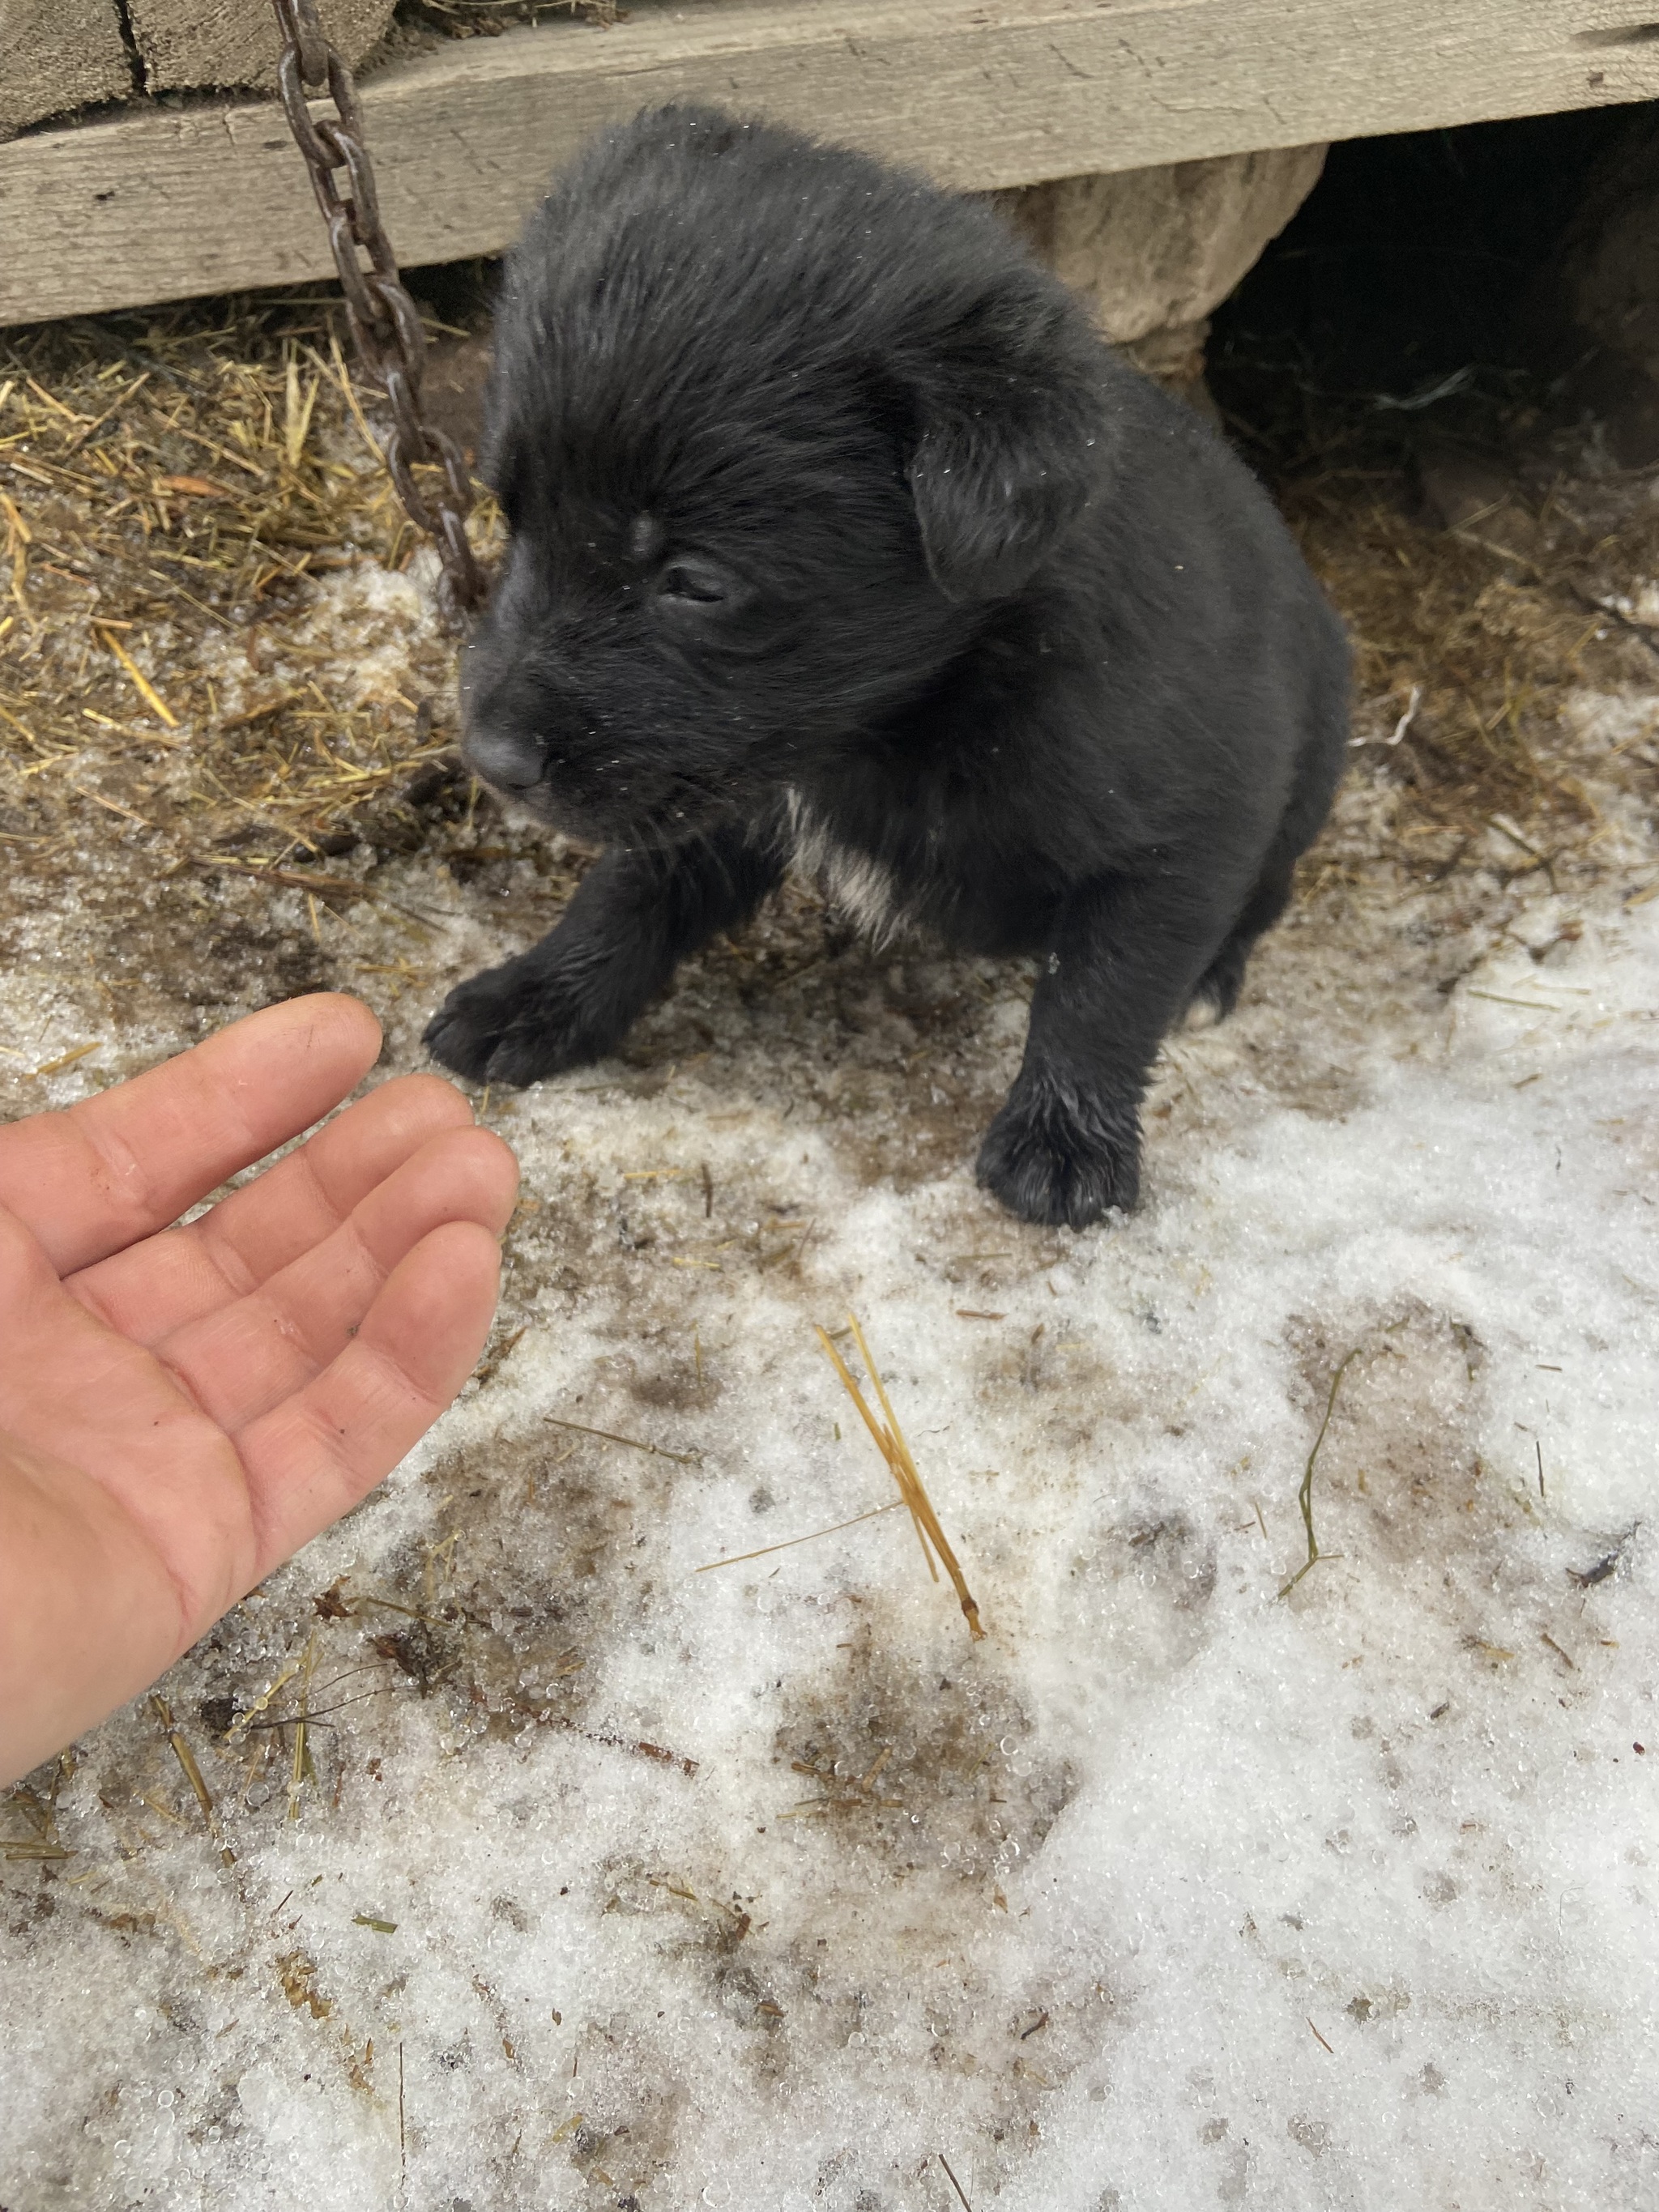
<point x="121" y="1167"/>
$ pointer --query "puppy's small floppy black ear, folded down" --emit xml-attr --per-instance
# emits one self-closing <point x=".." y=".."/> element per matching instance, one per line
<point x="1005" y="452"/>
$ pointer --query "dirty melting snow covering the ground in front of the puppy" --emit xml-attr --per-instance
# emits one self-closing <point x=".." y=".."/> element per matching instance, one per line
<point x="603" y="1881"/>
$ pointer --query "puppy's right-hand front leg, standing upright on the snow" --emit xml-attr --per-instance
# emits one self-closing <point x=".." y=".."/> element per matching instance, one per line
<point x="1067" y="1142"/>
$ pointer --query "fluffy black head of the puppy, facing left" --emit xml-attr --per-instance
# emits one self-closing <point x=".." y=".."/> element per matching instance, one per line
<point x="773" y="430"/>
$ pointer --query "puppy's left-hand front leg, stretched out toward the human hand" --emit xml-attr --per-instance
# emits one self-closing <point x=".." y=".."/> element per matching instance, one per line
<point x="574" y="997"/>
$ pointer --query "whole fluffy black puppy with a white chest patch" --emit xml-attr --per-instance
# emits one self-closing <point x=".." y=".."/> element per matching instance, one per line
<point x="842" y="541"/>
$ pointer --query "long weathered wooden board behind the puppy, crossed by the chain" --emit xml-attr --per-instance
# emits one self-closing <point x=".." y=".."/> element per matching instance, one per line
<point x="167" y="205"/>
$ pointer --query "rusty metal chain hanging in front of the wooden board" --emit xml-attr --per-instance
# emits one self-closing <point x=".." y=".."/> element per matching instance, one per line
<point x="386" y="324"/>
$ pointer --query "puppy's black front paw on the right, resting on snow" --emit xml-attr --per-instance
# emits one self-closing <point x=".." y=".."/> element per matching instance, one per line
<point x="1061" y="1156"/>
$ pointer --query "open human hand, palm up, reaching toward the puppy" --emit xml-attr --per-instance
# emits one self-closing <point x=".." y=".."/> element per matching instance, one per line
<point x="185" y="1408"/>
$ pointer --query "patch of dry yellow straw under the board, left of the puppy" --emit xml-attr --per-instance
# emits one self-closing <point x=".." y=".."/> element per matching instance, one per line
<point x="174" y="497"/>
